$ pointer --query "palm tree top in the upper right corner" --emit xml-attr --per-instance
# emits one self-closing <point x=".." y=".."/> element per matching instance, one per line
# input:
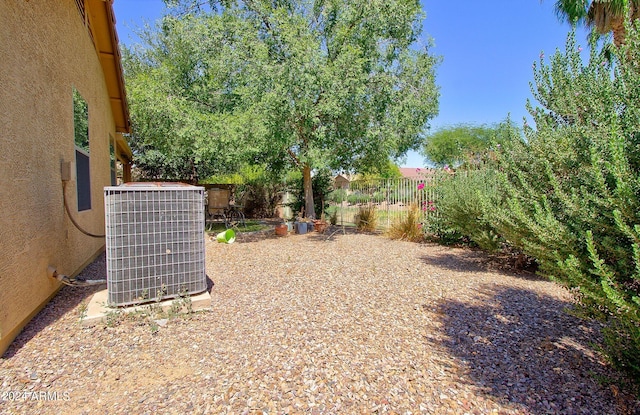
<point x="602" y="15"/>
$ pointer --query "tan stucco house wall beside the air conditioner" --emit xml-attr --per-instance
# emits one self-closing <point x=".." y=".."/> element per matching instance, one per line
<point x="45" y="51"/>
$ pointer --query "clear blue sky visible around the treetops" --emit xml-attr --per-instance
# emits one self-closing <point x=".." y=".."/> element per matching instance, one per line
<point x="487" y="49"/>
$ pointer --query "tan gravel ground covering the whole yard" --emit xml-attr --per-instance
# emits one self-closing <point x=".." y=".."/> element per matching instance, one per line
<point x="347" y="324"/>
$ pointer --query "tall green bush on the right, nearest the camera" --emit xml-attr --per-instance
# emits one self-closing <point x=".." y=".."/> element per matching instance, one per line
<point x="572" y="189"/>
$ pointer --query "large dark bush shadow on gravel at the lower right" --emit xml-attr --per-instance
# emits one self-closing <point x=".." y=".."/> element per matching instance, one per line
<point x="525" y="349"/>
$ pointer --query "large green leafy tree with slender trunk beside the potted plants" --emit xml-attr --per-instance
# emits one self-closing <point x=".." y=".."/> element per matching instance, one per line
<point x="312" y="84"/>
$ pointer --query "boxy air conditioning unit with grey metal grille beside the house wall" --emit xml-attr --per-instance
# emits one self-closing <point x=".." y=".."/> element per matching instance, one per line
<point x="154" y="242"/>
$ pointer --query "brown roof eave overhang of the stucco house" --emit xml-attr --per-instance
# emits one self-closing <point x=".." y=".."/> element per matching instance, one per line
<point x="102" y="26"/>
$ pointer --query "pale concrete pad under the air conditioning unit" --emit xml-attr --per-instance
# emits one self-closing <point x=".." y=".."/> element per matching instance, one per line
<point x="97" y="309"/>
